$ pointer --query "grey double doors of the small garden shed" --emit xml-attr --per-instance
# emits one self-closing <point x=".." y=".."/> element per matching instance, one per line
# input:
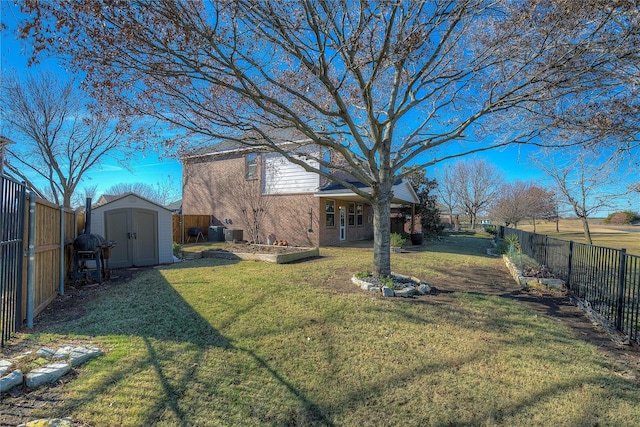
<point x="135" y="232"/>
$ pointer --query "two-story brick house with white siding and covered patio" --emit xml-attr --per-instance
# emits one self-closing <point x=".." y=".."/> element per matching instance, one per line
<point x="264" y="194"/>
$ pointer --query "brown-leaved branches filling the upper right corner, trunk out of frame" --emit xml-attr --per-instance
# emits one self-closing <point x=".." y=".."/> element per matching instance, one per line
<point x="606" y="106"/>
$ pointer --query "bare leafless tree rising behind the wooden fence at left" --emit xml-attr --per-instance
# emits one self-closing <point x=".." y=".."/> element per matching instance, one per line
<point x="58" y="138"/>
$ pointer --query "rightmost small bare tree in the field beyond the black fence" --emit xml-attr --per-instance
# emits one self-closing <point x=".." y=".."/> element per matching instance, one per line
<point x="586" y="181"/>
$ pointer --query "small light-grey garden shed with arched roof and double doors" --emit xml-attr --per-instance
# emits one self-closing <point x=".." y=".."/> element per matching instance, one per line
<point x="141" y="230"/>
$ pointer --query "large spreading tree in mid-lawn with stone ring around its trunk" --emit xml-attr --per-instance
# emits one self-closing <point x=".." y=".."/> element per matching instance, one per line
<point x="384" y="84"/>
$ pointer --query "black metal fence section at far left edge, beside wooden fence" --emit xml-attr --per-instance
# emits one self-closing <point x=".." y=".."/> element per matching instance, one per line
<point x="12" y="215"/>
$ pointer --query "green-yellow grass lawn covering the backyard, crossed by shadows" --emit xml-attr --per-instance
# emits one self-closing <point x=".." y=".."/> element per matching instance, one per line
<point x="214" y="342"/>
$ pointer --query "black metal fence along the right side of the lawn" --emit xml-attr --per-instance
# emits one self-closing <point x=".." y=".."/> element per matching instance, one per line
<point x="605" y="279"/>
